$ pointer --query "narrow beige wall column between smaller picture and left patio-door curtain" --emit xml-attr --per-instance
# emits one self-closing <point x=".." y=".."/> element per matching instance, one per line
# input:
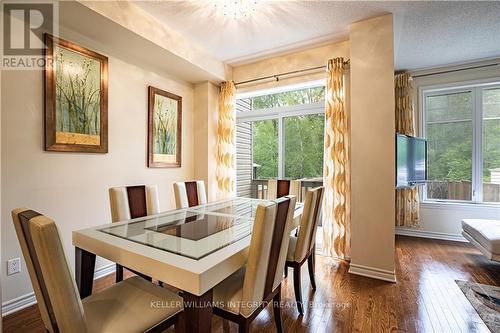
<point x="206" y="100"/>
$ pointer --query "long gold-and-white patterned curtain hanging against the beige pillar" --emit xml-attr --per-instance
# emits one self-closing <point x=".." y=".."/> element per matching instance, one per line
<point x="336" y="179"/>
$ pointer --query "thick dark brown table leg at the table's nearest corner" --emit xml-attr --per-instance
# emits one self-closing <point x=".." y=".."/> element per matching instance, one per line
<point x="198" y="312"/>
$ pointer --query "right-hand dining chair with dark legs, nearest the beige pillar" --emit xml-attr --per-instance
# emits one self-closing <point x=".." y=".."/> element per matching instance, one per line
<point x="302" y="246"/>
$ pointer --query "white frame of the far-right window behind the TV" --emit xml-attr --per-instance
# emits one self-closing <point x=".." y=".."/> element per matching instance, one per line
<point x="476" y="87"/>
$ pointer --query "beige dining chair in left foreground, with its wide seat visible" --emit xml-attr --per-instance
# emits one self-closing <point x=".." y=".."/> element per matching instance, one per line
<point x="123" y="307"/>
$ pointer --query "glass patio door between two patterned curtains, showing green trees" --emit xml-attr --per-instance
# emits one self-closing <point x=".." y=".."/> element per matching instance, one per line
<point x="280" y="136"/>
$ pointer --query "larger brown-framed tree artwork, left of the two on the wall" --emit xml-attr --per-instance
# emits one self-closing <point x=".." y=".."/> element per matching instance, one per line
<point x="76" y="98"/>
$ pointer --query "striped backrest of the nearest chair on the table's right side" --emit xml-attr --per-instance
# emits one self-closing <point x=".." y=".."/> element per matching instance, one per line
<point x="267" y="253"/>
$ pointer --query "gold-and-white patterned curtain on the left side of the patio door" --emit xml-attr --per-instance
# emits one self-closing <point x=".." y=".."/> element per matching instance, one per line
<point x="226" y="141"/>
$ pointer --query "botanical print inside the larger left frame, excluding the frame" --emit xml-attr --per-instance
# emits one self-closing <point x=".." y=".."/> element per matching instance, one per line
<point x="77" y="92"/>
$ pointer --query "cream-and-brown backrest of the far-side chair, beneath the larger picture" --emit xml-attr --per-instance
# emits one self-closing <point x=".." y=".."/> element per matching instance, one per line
<point x="128" y="202"/>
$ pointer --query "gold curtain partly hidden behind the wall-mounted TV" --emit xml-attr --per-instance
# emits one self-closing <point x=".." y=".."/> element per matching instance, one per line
<point x="407" y="207"/>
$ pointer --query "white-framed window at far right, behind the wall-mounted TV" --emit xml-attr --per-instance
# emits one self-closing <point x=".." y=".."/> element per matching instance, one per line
<point x="462" y="126"/>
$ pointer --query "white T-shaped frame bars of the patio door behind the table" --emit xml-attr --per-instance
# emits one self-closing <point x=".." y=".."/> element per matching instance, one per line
<point x="280" y="113"/>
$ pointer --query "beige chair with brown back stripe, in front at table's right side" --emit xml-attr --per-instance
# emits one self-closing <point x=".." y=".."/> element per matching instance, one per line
<point x="245" y="293"/>
